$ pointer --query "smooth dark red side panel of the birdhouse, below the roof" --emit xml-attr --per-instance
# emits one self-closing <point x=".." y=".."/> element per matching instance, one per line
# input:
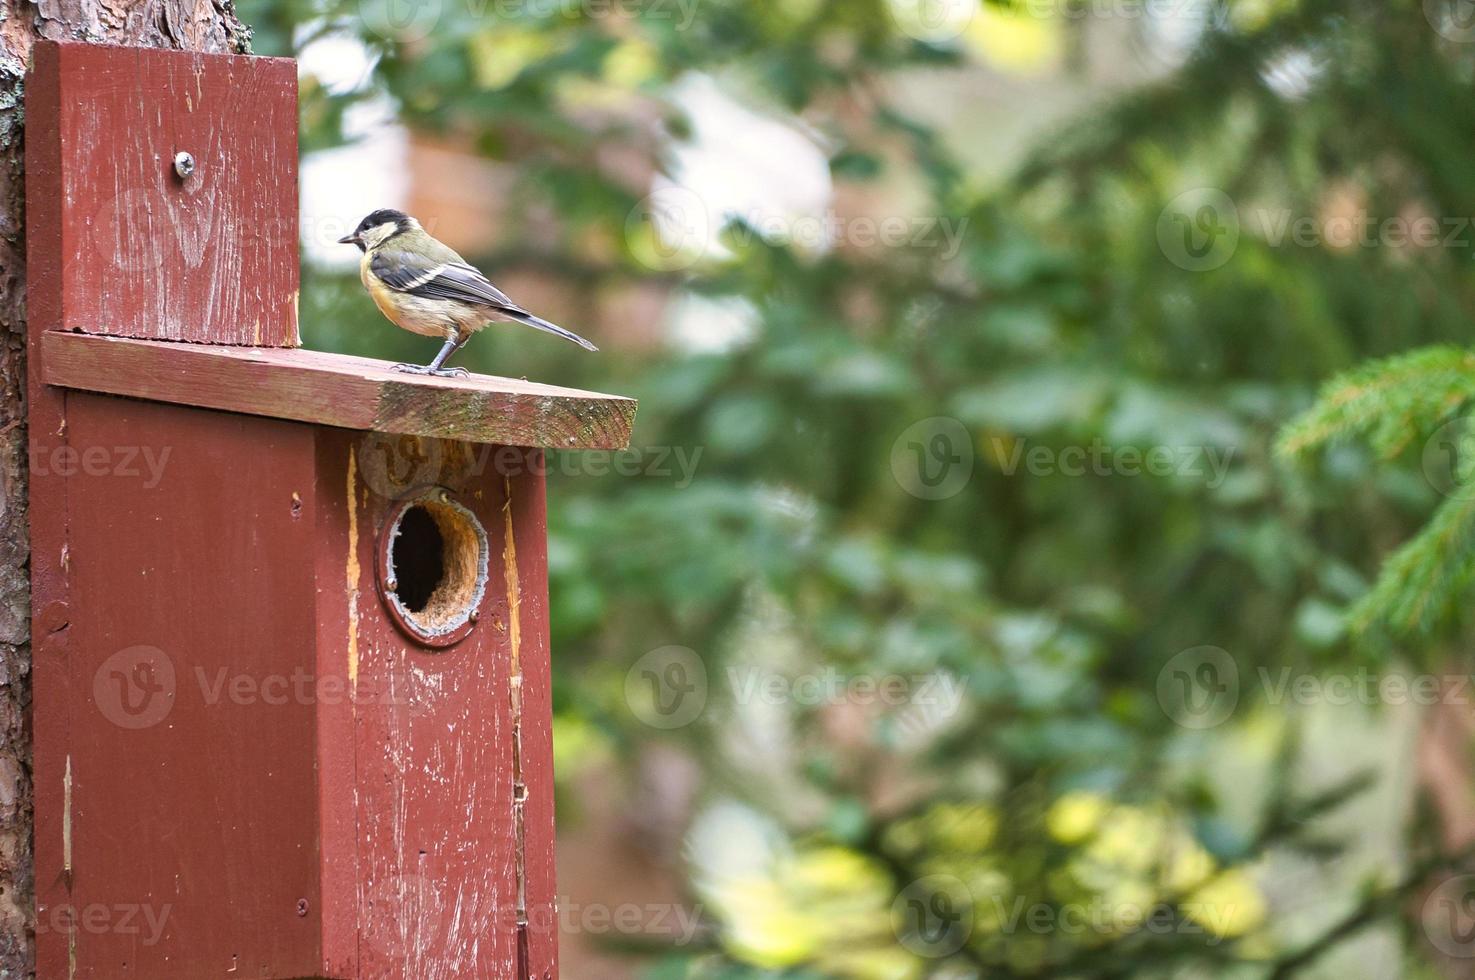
<point x="192" y="753"/>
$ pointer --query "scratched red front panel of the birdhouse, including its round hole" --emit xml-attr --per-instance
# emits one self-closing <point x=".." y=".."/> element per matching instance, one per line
<point x="445" y="638"/>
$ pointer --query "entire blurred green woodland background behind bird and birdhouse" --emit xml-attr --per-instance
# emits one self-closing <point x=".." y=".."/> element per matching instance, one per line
<point x="988" y="591"/>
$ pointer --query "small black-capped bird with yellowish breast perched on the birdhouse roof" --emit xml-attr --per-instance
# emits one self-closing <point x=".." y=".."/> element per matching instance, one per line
<point x="424" y="287"/>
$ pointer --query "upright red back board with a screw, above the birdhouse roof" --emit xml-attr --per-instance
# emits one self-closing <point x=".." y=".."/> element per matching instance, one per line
<point x="144" y="253"/>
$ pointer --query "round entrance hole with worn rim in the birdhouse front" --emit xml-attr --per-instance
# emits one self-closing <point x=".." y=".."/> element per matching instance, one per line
<point x="434" y="569"/>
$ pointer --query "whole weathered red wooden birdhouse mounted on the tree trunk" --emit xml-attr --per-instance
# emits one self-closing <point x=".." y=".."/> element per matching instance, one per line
<point x="291" y="643"/>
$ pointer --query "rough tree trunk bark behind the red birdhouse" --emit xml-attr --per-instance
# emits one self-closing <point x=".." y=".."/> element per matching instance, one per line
<point x="209" y="26"/>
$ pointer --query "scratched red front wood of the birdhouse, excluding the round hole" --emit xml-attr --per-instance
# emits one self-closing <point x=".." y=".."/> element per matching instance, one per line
<point x="420" y="770"/>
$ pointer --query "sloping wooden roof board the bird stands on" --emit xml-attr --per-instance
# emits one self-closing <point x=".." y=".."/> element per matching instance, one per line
<point x="356" y="393"/>
